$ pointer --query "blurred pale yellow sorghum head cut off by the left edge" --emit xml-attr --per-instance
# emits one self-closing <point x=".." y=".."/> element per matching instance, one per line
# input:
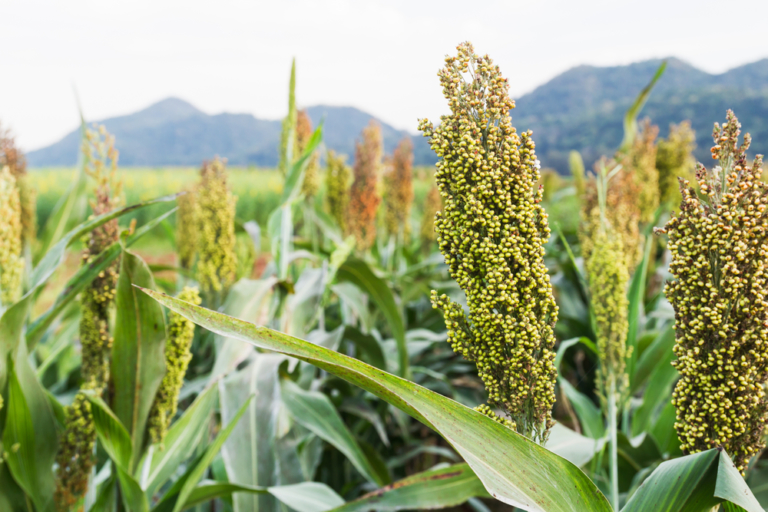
<point x="11" y="260"/>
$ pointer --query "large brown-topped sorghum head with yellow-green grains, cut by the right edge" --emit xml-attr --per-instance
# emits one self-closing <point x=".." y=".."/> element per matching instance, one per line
<point x="719" y="255"/>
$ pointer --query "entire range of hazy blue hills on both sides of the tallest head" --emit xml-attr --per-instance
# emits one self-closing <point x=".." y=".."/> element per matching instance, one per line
<point x="580" y="109"/>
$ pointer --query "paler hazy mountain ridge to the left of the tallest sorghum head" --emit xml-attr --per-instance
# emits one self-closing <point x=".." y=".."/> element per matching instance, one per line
<point x="173" y="132"/>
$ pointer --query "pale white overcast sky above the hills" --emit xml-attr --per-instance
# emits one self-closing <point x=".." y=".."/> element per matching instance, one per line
<point x="379" y="56"/>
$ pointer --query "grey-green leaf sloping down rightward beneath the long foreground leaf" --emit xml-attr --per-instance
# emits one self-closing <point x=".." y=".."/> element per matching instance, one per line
<point x="315" y="412"/>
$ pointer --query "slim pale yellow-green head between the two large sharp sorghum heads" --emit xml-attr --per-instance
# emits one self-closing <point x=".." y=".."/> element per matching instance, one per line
<point x="608" y="277"/>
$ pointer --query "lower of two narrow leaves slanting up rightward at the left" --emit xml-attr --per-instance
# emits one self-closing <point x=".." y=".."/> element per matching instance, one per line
<point x="83" y="277"/>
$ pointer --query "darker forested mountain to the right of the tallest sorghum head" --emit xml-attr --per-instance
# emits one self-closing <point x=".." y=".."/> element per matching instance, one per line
<point x="584" y="107"/>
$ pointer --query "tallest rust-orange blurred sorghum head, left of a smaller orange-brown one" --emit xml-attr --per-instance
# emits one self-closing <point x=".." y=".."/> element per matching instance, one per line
<point x="364" y="195"/>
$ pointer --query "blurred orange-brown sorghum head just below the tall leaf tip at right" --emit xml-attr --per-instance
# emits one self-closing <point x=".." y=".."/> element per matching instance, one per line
<point x="642" y="163"/>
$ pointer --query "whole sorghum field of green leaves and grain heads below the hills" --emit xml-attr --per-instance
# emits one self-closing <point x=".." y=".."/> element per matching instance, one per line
<point x="351" y="333"/>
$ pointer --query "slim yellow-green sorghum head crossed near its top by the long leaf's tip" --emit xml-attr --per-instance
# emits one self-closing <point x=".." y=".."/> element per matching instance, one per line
<point x="177" y="357"/>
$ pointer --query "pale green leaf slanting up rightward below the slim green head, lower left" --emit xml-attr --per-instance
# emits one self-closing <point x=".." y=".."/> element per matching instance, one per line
<point x="180" y="441"/>
